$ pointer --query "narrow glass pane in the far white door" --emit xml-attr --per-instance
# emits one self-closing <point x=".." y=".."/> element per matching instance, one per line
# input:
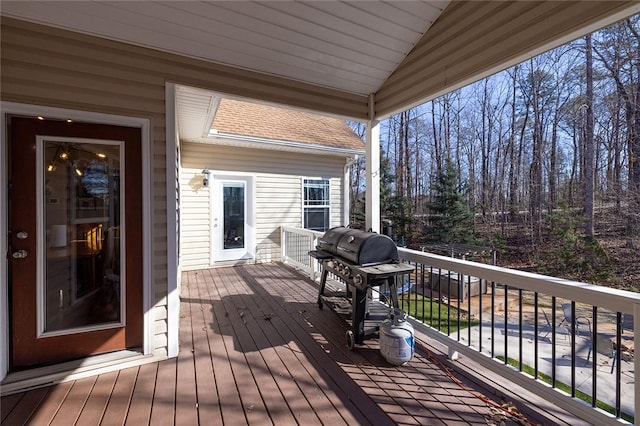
<point x="233" y="213"/>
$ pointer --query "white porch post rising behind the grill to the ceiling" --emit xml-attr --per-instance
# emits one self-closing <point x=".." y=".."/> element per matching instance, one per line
<point x="373" y="169"/>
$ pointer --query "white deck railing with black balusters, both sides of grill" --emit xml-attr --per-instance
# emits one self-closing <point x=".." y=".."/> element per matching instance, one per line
<point x="518" y="320"/>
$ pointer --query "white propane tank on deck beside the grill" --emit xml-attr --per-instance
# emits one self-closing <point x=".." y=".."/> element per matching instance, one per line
<point x="396" y="338"/>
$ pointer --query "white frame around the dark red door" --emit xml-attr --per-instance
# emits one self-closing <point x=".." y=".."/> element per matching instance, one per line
<point x="9" y="108"/>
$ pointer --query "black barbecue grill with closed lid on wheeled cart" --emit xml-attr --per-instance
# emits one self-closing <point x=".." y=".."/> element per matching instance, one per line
<point x="361" y="260"/>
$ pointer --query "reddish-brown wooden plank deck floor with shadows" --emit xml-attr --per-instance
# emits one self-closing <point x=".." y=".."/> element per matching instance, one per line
<point x="255" y="349"/>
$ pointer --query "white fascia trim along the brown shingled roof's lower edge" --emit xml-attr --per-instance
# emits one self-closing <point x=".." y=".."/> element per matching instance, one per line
<point x="264" y="143"/>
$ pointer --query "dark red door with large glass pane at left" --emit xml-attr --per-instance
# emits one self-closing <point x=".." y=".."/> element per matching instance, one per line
<point x="75" y="221"/>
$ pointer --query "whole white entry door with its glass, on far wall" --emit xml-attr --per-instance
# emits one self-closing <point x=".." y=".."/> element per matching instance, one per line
<point x="232" y="218"/>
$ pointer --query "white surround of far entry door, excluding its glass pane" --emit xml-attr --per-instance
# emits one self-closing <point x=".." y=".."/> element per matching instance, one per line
<point x="215" y="214"/>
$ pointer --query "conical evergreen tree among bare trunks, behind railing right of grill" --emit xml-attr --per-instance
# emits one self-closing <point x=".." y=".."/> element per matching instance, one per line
<point x="451" y="218"/>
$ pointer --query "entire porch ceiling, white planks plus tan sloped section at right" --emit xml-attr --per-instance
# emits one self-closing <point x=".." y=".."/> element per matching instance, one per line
<point x="403" y="52"/>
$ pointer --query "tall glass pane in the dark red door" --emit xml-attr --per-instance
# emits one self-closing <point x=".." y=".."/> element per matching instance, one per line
<point x="81" y="198"/>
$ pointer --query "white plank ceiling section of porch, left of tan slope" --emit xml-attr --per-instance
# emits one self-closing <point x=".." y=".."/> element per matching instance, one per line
<point x="347" y="45"/>
